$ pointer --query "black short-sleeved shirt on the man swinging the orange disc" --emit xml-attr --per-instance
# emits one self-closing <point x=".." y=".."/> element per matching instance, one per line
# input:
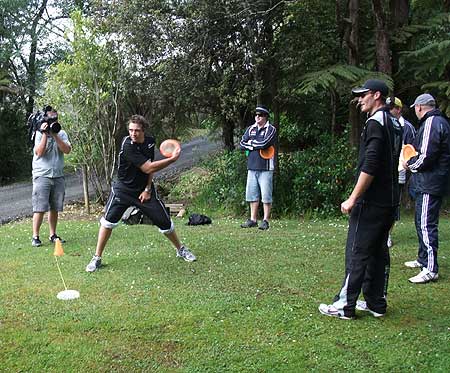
<point x="131" y="157"/>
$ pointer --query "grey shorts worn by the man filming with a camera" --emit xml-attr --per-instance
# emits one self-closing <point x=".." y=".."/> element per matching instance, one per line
<point x="48" y="194"/>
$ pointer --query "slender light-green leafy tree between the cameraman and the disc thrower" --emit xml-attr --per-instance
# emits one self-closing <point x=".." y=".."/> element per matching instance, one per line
<point x="87" y="90"/>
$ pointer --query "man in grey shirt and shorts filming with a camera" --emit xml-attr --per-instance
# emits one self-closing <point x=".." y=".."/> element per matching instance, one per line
<point x="50" y="145"/>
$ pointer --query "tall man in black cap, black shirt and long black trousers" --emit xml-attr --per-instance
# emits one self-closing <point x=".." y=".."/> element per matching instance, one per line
<point x="372" y="207"/>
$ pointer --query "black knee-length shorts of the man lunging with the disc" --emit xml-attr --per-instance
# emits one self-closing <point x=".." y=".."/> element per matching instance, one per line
<point x="121" y="198"/>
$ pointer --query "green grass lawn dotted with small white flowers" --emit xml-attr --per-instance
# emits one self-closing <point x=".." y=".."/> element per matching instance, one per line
<point x="249" y="304"/>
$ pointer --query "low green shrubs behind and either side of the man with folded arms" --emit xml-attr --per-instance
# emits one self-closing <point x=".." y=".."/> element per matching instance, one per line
<point x="313" y="181"/>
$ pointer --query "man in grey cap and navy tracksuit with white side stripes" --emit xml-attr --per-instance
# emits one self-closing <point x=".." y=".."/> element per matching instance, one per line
<point x="430" y="170"/>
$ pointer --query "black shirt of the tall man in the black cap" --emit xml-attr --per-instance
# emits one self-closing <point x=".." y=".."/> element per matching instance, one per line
<point x="379" y="153"/>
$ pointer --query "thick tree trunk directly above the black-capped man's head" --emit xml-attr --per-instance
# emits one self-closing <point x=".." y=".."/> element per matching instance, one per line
<point x="382" y="38"/>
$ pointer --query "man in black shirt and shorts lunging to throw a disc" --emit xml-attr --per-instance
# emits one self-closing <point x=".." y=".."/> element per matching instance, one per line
<point x="135" y="187"/>
